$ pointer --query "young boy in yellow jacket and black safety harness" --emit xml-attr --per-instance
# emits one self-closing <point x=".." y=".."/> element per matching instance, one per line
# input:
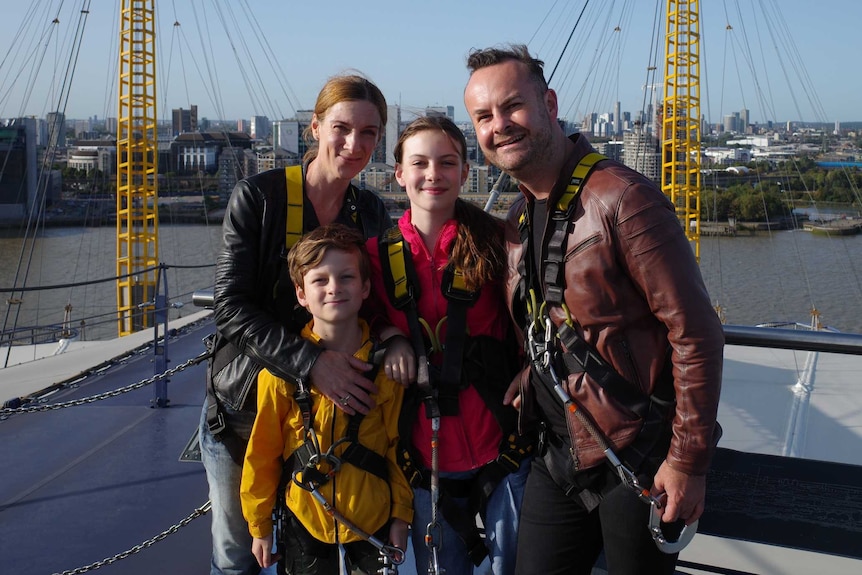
<point x="328" y="491"/>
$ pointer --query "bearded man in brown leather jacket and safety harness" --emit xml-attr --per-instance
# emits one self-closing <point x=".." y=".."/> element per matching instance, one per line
<point x="619" y="281"/>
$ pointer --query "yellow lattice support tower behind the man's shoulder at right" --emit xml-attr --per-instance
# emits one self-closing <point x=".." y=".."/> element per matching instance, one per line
<point x="680" y="115"/>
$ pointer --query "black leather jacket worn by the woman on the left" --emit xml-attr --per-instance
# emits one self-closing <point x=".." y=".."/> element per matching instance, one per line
<point x="257" y="317"/>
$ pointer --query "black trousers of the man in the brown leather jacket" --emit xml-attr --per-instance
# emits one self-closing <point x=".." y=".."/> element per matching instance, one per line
<point x="558" y="536"/>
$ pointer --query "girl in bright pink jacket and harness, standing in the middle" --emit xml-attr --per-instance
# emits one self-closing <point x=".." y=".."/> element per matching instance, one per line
<point x="446" y="238"/>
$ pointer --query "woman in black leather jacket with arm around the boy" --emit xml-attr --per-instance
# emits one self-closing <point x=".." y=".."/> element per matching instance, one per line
<point x="258" y="321"/>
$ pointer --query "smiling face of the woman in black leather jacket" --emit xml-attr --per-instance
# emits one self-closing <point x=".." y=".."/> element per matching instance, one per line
<point x="347" y="136"/>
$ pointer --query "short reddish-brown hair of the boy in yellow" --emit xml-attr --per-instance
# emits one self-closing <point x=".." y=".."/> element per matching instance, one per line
<point x="308" y="252"/>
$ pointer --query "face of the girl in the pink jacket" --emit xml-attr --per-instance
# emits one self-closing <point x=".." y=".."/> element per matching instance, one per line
<point x="432" y="171"/>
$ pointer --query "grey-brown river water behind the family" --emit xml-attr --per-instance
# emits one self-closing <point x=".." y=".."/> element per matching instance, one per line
<point x="755" y="279"/>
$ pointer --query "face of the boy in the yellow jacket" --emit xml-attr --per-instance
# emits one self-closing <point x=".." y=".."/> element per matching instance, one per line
<point x="333" y="291"/>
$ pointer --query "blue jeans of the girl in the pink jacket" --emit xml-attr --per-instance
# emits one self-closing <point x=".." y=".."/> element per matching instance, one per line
<point x="500" y="520"/>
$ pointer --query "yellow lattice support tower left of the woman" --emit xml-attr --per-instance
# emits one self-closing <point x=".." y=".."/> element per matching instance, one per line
<point x="137" y="167"/>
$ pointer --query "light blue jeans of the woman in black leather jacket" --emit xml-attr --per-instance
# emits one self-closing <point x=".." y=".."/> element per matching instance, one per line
<point x="231" y="539"/>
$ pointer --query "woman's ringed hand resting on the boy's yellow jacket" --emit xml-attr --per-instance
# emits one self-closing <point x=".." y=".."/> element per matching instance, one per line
<point x="338" y="376"/>
